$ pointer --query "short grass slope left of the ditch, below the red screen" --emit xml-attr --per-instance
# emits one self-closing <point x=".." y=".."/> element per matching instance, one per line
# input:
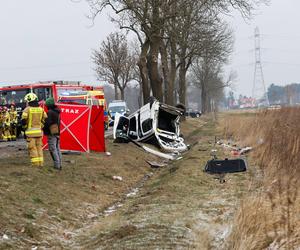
<point x="41" y="206"/>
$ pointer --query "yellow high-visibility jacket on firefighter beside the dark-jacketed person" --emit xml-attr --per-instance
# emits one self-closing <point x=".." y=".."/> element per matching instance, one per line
<point x="35" y="119"/>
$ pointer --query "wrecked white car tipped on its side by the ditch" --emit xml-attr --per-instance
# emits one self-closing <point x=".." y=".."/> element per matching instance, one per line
<point x="155" y="123"/>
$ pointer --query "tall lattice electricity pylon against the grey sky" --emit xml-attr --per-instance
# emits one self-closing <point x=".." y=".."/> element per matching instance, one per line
<point x="259" y="89"/>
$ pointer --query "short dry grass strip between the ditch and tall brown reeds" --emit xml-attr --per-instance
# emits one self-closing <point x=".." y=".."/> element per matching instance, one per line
<point x="181" y="207"/>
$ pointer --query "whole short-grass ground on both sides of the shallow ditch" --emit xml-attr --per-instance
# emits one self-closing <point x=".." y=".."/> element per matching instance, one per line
<point x="85" y="207"/>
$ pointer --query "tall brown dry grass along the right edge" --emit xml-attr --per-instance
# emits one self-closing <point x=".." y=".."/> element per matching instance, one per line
<point x="270" y="218"/>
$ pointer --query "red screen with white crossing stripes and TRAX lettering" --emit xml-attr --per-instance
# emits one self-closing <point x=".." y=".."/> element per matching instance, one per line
<point x="82" y="128"/>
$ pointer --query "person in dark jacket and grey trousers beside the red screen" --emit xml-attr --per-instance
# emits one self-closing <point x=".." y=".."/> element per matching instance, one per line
<point x="52" y="131"/>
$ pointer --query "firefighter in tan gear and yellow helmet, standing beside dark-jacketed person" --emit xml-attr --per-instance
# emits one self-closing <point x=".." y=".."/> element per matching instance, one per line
<point x="33" y="118"/>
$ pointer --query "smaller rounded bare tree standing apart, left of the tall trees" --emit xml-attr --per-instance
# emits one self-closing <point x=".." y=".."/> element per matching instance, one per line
<point x="114" y="62"/>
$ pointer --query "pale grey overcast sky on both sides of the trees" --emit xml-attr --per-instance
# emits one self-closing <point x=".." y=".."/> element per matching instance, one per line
<point x="53" y="39"/>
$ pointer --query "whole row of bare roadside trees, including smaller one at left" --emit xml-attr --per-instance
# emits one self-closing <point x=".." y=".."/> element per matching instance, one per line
<point x="177" y="38"/>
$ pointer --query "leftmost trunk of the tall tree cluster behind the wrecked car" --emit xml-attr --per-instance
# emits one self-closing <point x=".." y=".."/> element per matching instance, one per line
<point x="142" y="64"/>
